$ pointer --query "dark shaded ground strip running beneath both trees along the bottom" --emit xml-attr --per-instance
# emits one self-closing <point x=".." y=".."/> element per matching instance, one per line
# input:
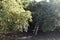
<point x="40" y="36"/>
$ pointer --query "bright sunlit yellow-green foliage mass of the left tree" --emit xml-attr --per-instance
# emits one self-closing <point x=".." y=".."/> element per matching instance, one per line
<point x="13" y="16"/>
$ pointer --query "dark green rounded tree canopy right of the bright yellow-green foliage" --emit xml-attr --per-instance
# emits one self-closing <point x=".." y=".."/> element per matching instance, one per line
<point x="44" y="14"/>
